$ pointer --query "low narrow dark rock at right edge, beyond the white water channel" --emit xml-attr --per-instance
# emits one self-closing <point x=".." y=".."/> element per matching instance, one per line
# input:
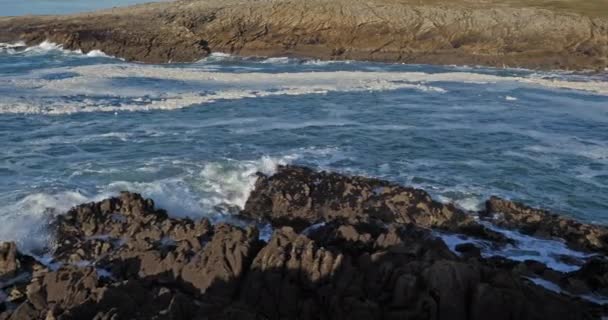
<point x="542" y="223"/>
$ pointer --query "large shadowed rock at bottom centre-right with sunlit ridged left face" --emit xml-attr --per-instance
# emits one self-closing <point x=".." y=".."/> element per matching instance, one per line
<point x="401" y="272"/>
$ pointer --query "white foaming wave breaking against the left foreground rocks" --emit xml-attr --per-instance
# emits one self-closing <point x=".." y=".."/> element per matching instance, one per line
<point x="214" y="191"/>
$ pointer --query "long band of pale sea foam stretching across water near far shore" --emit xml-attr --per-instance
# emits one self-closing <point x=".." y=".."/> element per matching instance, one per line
<point x="94" y="88"/>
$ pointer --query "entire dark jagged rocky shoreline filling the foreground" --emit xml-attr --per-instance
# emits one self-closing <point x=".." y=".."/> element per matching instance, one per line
<point x="342" y="248"/>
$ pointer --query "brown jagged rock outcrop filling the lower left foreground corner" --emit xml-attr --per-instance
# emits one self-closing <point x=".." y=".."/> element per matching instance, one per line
<point x="123" y="258"/>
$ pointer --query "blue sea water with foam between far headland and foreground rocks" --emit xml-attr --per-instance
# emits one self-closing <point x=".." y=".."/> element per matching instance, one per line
<point x="77" y="128"/>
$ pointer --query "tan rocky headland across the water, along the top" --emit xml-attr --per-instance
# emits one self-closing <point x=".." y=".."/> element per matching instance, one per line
<point x="450" y="32"/>
